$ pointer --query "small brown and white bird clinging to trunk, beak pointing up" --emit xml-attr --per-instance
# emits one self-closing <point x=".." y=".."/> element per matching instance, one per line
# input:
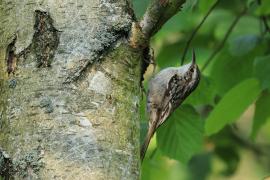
<point x="167" y="90"/>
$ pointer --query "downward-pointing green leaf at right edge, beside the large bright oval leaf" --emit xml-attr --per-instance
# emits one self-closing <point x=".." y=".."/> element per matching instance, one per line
<point x="262" y="113"/>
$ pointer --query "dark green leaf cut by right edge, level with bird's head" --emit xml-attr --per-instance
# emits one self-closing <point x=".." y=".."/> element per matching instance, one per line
<point x="262" y="70"/>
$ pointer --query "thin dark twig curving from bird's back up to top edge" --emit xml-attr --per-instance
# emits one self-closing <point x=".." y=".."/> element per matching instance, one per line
<point x="196" y="30"/>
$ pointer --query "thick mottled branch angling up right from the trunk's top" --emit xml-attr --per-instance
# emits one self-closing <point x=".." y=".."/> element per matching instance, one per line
<point x="157" y="14"/>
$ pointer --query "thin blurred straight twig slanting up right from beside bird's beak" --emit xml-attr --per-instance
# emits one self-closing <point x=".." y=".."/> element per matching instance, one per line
<point x="220" y="46"/>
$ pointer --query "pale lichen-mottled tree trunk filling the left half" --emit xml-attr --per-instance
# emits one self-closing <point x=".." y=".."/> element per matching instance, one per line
<point x="69" y="90"/>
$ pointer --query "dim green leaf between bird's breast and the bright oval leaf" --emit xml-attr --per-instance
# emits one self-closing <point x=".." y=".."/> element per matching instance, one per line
<point x="204" y="93"/>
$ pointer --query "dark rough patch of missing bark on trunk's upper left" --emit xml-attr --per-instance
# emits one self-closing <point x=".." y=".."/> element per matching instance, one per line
<point x="43" y="46"/>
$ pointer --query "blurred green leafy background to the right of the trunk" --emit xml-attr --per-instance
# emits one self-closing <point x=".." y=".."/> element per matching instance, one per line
<point x="223" y="127"/>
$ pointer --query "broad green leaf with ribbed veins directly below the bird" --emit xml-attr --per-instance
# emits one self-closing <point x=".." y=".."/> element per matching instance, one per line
<point x="182" y="134"/>
